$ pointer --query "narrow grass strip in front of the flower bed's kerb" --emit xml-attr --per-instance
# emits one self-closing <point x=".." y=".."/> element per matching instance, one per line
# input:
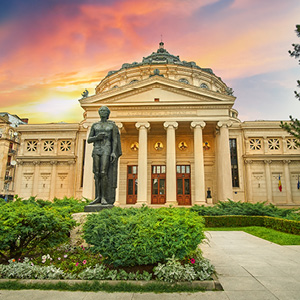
<point x="96" y="286"/>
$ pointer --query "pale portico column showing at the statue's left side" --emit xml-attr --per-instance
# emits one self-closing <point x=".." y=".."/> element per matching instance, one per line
<point x="88" y="176"/>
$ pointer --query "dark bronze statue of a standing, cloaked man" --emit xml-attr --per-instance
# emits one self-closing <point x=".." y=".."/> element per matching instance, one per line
<point x="106" y="152"/>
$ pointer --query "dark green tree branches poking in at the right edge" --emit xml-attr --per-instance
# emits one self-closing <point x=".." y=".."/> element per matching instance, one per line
<point x="294" y="126"/>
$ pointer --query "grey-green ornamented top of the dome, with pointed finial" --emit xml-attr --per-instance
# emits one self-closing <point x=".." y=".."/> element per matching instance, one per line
<point x="161" y="56"/>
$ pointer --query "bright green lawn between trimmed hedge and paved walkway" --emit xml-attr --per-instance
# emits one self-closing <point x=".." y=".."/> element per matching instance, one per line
<point x="268" y="234"/>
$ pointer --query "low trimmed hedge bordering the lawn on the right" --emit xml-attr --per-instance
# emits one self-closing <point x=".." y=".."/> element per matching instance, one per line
<point x="283" y="225"/>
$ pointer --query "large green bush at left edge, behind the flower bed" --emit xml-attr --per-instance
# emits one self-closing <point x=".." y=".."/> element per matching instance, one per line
<point x="26" y="227"/>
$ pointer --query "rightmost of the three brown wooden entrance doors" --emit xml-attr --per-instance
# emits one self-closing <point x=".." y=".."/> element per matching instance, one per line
<point x="183" y="185"/>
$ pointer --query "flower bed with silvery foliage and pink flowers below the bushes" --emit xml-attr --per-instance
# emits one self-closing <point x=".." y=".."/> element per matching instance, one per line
<point x="81" y="263"/>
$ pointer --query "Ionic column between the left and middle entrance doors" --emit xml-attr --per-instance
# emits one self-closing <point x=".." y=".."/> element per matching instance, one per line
<point x="143" y="128"/>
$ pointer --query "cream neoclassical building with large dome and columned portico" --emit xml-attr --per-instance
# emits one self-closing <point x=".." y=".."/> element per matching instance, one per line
<point x="182" y="143"/>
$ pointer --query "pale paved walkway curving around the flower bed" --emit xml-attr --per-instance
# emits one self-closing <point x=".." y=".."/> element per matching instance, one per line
<point x="248" y="268"/>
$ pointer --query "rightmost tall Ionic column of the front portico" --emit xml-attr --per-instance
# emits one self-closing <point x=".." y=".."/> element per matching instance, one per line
<point x="224" y="163"/>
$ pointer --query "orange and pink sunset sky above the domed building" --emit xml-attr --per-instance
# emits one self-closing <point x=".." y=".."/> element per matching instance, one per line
<point x="51" y="50"/>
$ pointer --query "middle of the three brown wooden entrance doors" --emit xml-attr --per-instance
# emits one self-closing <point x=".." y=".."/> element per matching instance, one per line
<point x="158" y="182"/>
